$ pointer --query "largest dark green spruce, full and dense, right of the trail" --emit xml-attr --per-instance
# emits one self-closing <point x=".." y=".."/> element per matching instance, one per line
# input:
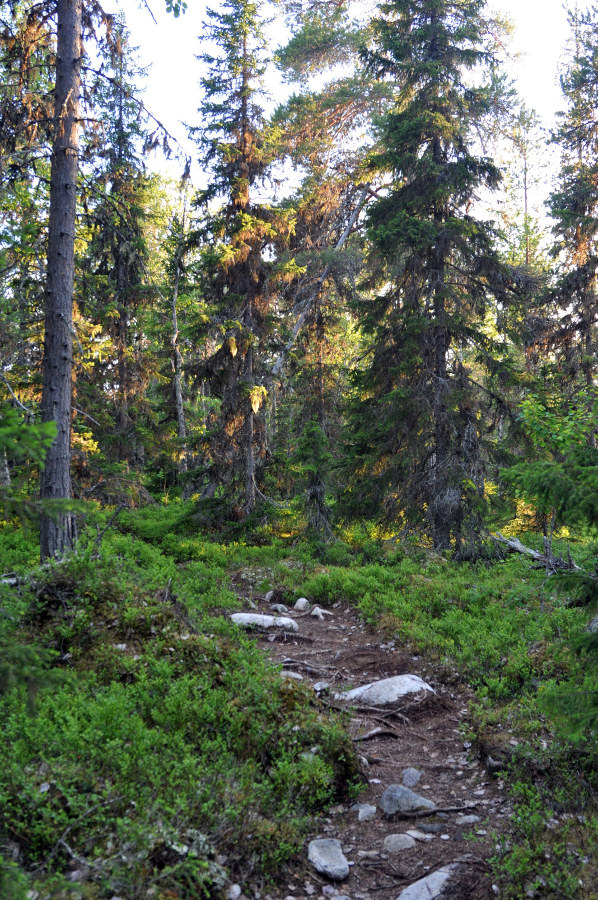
<point x="417" y="446"/>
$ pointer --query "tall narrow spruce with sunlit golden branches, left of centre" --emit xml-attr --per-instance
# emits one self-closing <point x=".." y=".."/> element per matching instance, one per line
<point x="237" y="237"/>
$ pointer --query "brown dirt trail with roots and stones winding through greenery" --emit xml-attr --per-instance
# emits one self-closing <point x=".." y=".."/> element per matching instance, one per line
<point x="424" y="733"/>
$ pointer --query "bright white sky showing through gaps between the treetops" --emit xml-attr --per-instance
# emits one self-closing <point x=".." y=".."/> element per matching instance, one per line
<point x="170" y="46"/>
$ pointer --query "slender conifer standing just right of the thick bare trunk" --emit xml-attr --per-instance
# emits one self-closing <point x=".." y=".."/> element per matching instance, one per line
<point x="114" y="290"/>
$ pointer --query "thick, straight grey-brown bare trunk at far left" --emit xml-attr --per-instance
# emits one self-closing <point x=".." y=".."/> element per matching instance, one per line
<point x="58" y="531"/>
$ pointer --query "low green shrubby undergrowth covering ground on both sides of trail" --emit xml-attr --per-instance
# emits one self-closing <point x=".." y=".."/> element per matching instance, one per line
<point x="149" y="748"/>
